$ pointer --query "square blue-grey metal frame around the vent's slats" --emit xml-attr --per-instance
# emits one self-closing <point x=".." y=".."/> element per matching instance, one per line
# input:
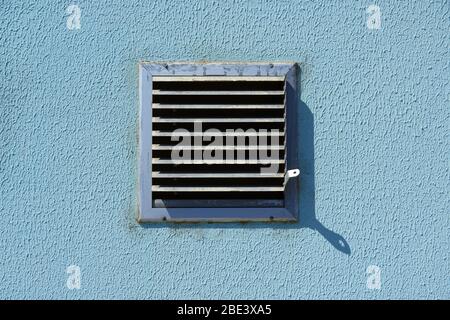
<point x="148" y="213"/>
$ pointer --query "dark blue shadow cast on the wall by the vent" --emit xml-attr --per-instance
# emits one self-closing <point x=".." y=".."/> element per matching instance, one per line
<point x="307" y="214"/>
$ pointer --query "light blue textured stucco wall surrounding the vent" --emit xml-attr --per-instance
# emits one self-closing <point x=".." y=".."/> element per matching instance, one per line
<point x="374" y="151"/>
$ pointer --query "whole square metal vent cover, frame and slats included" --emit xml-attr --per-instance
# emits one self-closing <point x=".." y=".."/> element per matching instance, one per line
<point x="218" y="142"/>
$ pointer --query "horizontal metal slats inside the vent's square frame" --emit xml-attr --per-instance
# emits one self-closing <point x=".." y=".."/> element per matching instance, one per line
<point x="256" y="105"/>
